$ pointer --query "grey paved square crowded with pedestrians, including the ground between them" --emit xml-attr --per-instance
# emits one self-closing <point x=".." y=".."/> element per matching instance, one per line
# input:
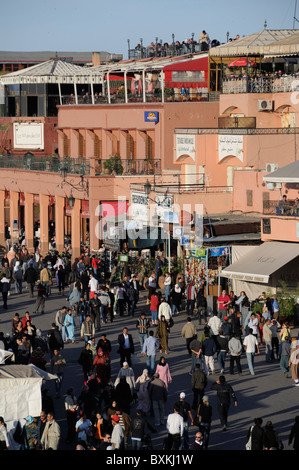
<point x="106" y="375"/>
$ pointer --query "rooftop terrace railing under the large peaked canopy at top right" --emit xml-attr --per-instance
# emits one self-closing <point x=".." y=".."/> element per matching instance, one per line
<point x="283" y="84"/>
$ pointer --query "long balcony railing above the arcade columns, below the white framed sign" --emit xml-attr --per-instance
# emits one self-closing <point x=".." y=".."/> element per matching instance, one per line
<point x="30" y="162"/>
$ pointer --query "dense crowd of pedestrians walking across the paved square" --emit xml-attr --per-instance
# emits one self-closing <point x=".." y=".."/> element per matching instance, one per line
<point x="123" y="411"/>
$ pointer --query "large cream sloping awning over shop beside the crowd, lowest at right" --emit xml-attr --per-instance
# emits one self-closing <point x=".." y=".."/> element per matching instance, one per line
<point x="260" y="263"/>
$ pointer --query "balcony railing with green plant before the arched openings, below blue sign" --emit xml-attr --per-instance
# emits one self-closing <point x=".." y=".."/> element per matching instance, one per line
<point x="130" y="167"/>
